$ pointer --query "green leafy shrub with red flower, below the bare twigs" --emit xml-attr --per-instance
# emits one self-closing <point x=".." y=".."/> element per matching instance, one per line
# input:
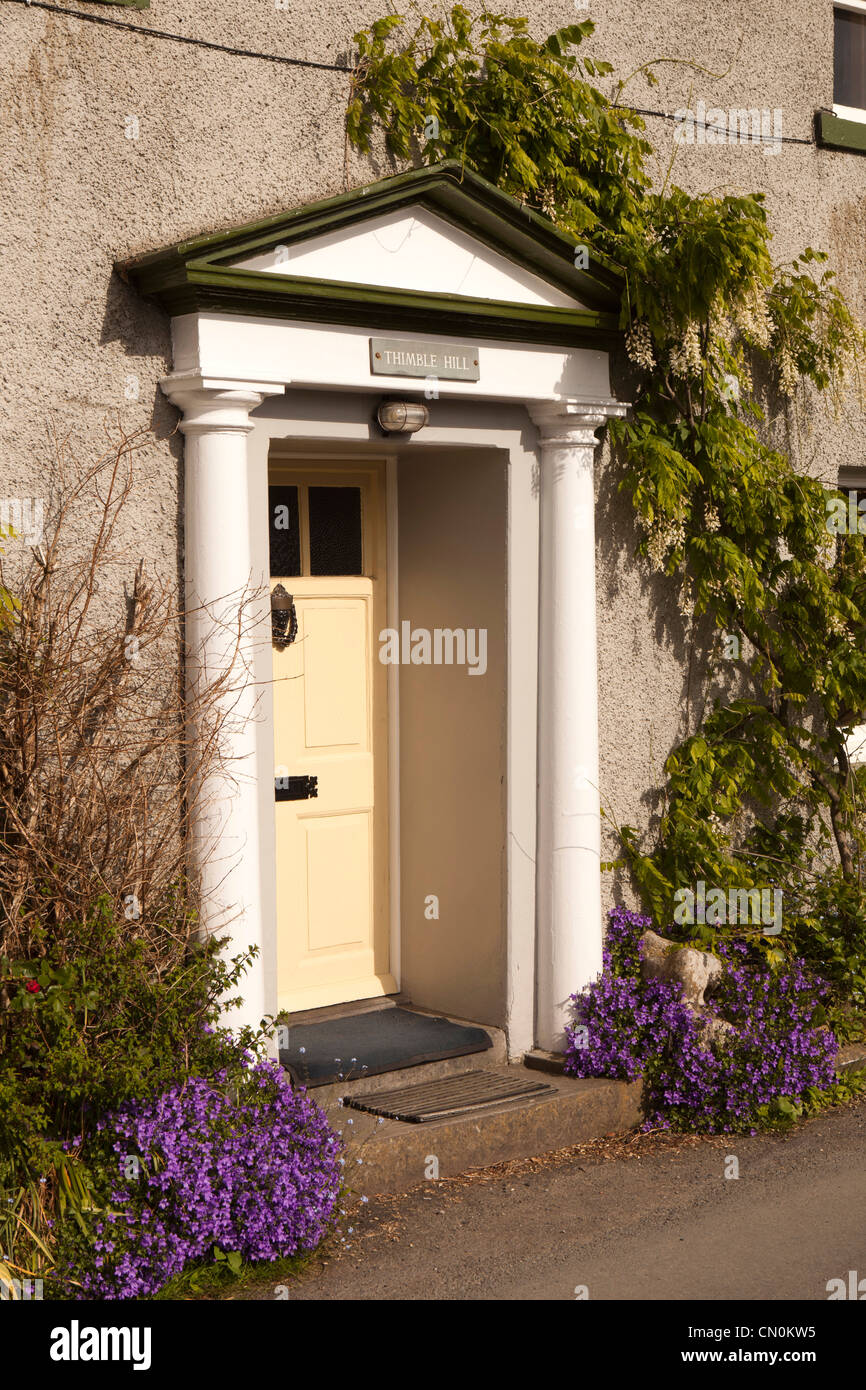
<point x="88" y="1027"/>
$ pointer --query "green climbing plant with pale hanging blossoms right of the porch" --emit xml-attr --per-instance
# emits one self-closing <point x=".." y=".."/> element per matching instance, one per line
<point x="719" y="336"/>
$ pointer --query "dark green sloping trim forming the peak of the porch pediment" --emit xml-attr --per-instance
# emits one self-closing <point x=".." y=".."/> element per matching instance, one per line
<point x="455" y="194"/>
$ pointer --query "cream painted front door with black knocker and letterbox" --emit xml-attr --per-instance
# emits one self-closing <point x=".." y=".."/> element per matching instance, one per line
<point x="329" y="551"/>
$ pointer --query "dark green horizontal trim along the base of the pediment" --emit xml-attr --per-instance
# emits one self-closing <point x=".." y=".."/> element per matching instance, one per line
<point x="205" y="288"/>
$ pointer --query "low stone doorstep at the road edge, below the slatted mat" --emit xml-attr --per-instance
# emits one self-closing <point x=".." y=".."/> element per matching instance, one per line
<point x="397" y="1156"/>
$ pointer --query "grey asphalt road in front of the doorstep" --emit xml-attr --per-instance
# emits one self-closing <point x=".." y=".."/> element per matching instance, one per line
<point x="646" y="1218"/>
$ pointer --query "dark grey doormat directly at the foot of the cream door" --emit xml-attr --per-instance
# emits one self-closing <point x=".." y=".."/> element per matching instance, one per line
<point x="368" y="1045"/>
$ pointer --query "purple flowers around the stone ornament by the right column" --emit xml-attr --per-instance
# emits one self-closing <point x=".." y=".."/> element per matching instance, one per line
<point x="629" y="1028"/>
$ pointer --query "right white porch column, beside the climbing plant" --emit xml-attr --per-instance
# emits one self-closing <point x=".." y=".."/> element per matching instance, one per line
<point x="569" y="893"/>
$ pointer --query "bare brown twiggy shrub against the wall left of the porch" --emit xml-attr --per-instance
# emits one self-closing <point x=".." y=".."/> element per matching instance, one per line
<point x="105" y="750"/>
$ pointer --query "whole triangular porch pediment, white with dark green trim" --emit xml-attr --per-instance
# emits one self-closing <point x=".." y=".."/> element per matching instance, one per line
<point x="437" y="250"/>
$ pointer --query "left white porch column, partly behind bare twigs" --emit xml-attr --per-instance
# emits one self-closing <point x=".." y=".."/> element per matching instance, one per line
<point x="222" y="576"/>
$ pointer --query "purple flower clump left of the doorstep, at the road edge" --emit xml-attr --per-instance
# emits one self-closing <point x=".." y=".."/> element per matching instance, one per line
<point x="256" y="1171"/>
